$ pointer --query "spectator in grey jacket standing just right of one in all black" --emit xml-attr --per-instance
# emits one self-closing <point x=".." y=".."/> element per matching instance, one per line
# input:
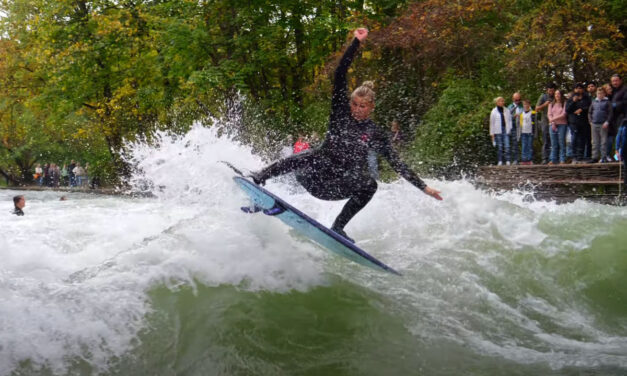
<point x="598" y="117"/>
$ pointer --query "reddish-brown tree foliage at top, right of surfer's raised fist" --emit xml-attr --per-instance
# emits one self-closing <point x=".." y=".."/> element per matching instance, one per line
<point x="441" y="35"/>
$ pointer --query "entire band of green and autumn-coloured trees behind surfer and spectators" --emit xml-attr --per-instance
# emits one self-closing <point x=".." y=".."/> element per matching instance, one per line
<point x="79" y="78"/>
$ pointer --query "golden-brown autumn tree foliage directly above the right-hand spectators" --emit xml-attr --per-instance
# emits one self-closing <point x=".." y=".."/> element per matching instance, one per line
<point x="566" y="42"/>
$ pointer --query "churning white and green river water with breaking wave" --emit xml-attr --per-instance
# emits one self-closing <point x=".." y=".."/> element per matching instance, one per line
<point x="186" y="284"/>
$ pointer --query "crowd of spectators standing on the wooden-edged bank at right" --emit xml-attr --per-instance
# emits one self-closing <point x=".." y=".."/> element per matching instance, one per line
<point x="587" y="125"/>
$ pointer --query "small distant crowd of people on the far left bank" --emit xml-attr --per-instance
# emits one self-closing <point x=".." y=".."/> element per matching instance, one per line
<point x="70" y="175"/>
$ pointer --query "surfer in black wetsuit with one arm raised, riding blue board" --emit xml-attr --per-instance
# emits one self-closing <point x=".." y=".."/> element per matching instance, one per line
<point x="338" y="169"/>
